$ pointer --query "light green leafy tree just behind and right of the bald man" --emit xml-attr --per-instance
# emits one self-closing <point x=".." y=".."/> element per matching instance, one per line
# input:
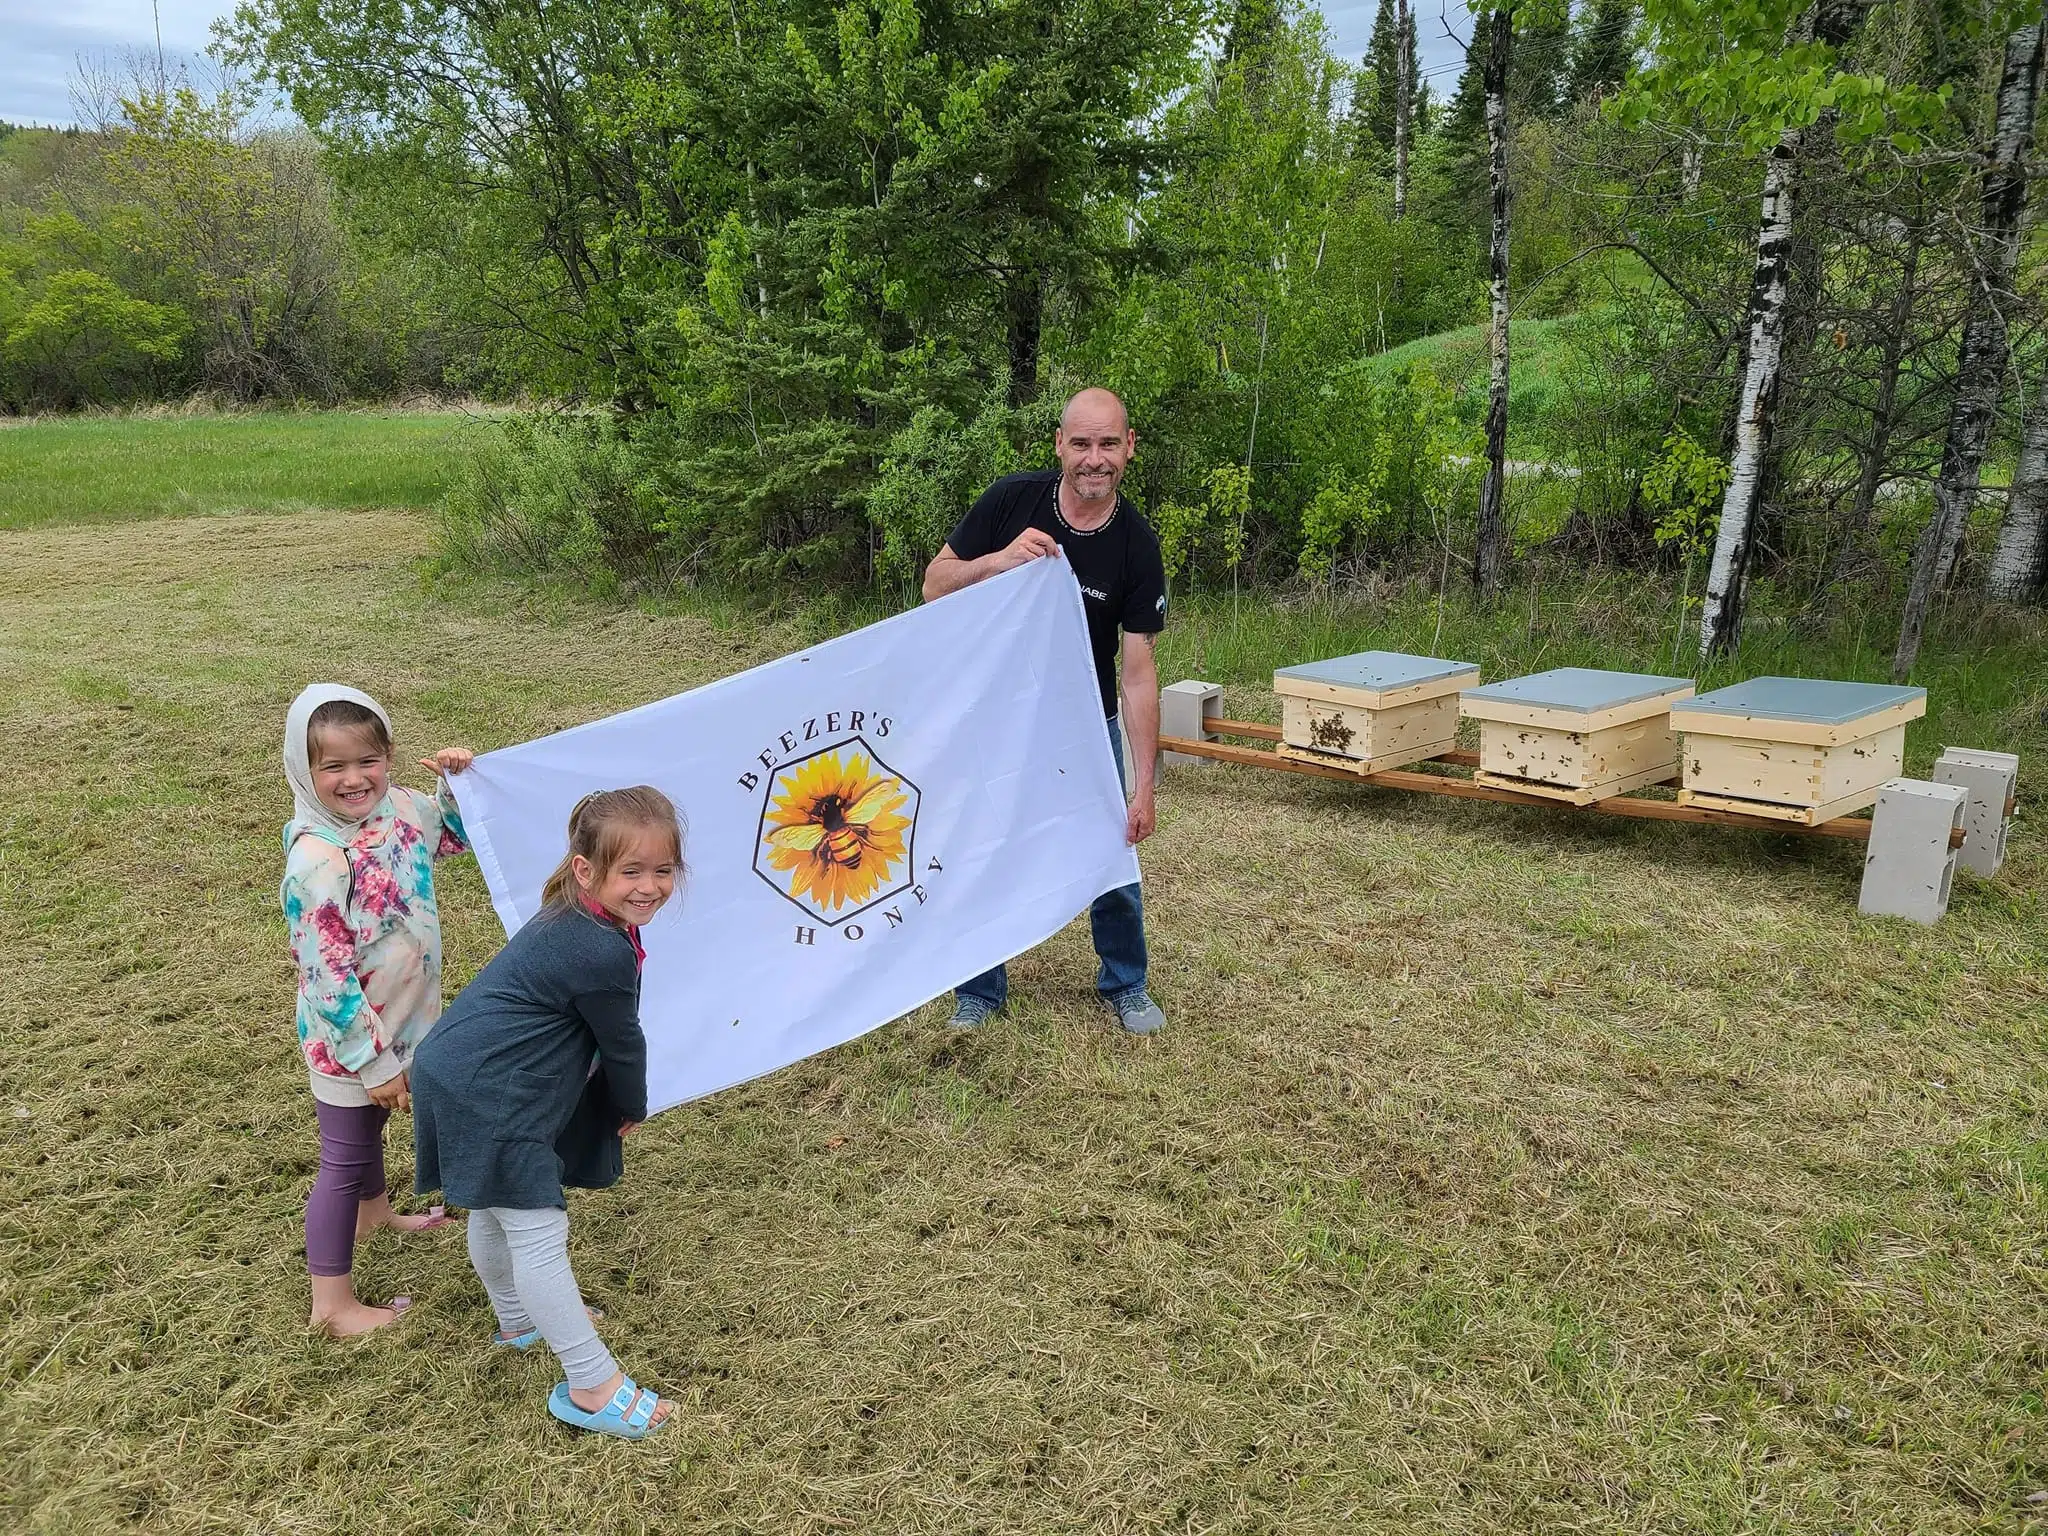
<point x="1248" y="341"/>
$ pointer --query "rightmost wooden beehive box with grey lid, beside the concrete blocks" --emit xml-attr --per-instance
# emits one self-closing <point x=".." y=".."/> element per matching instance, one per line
<point x="1795" y="749"/>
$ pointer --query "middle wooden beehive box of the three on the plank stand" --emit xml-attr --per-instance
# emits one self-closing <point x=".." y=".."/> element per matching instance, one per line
<point x="1576" y="734"/>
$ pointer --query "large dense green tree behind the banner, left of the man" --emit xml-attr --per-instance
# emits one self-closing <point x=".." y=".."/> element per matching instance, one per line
<point x="773" y="228"/>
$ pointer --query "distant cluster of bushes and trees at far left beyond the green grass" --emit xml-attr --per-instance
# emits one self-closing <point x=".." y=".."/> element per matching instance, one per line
<point x="175" y="247"/>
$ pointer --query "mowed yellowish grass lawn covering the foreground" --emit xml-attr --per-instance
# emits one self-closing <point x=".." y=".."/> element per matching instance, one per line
<point x="1500" y="1170"/>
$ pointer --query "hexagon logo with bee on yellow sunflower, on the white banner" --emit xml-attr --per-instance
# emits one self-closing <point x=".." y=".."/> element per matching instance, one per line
<point x="837" y="830"/>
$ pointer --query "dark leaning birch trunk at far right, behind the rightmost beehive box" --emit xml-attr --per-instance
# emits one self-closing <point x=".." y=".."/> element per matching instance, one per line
<point x="1983" y="355"/>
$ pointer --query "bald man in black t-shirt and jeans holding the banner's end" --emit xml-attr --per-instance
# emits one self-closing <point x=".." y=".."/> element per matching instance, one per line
<point x="1078" y="509"/>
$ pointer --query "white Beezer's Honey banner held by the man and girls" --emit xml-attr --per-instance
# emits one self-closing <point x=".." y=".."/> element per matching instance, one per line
<point x="869" y="824"/>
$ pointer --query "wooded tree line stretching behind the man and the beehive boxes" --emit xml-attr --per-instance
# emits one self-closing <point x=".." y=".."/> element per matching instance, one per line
<point x="1730" y="290"/>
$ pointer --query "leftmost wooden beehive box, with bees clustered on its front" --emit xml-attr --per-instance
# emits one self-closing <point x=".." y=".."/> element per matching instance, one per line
<point x="1369" y="712"/>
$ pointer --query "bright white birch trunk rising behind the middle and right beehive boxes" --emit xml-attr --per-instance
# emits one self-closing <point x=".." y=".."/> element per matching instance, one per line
<point x="1721" y="609"/>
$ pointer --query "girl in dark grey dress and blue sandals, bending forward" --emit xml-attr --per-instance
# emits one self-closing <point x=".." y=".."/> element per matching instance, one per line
<point x="531" y="1080"/>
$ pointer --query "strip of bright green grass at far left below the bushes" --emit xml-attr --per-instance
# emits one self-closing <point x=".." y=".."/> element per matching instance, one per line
<point x="105" y="468"/>
